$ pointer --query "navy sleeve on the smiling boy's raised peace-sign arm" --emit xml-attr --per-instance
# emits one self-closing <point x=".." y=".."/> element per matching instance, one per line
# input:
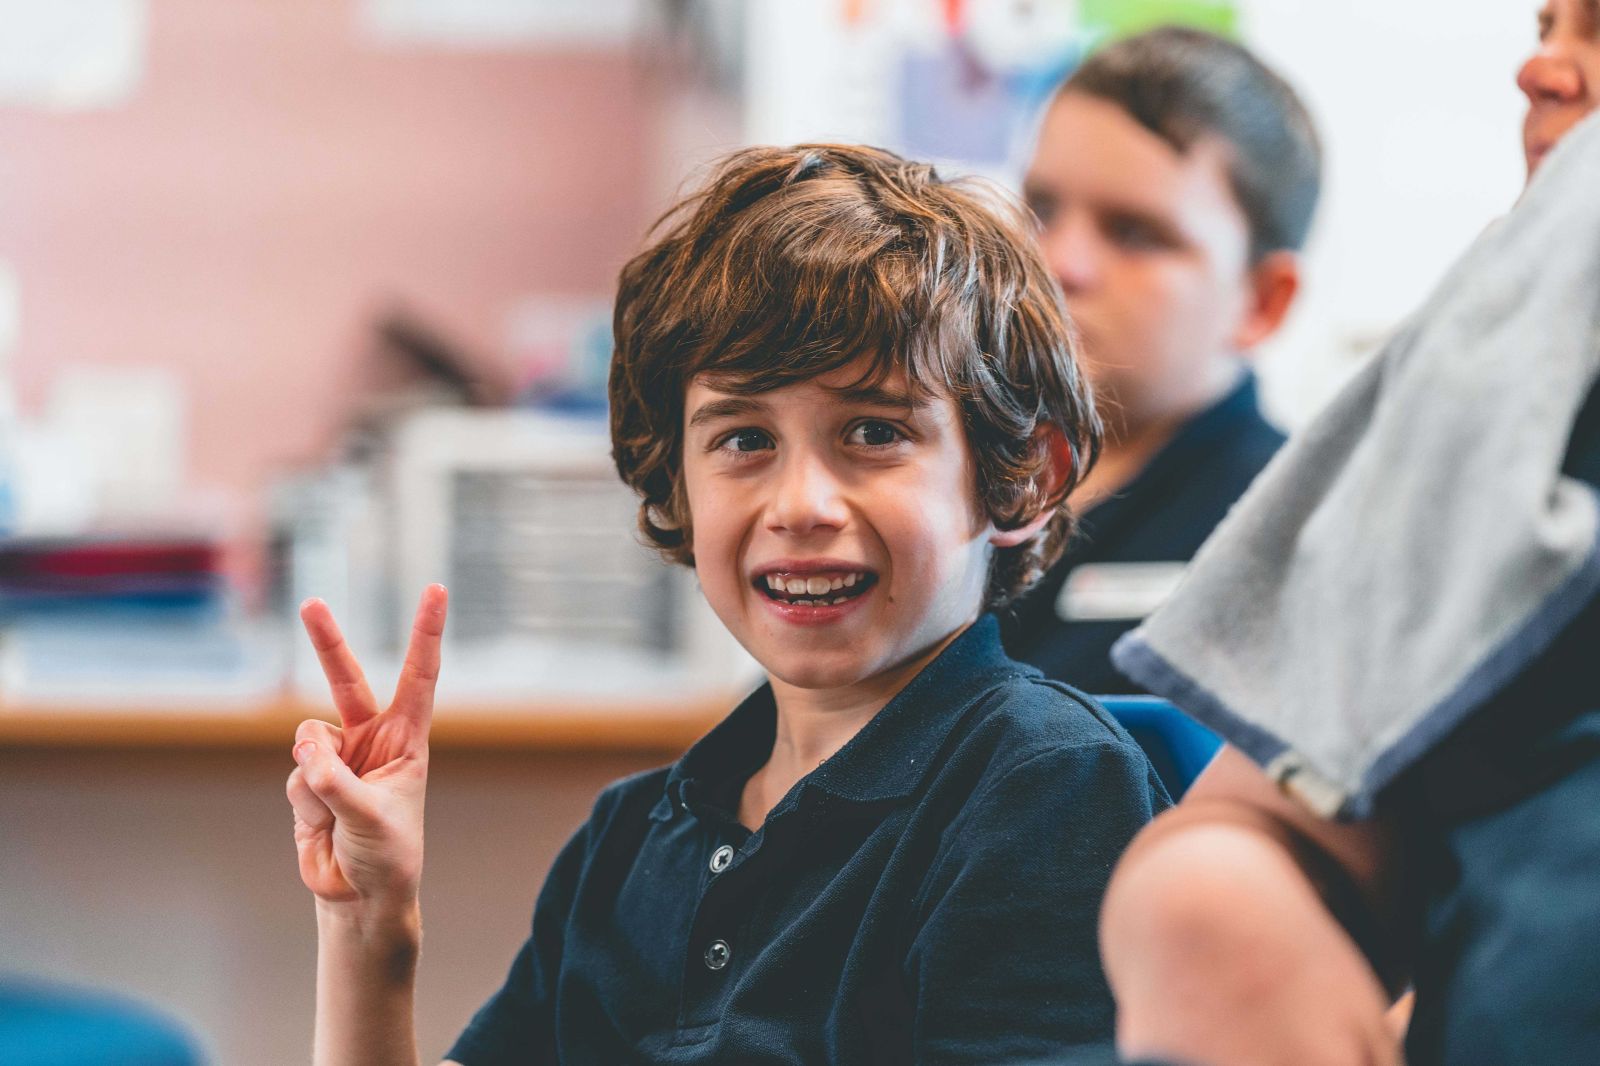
<point x="518" y="1025"/>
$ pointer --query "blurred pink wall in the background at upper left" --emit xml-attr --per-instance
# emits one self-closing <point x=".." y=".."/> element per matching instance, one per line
<point x="276" y="180"/>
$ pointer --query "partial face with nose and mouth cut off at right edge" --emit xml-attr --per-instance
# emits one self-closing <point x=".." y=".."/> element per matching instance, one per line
<point x="1562" y="79"/>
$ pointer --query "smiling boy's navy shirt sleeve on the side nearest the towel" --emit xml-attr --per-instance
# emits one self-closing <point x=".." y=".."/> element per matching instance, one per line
<point x="1006" y="964"/>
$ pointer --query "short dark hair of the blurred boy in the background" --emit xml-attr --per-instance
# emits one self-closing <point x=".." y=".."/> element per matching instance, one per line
<point x="1186" y="86"/>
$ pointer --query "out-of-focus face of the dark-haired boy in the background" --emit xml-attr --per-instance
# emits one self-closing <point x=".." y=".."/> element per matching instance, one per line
<point x="1151" y="250"/>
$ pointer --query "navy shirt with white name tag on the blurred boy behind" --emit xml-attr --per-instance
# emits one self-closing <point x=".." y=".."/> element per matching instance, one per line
<point x="1132" y="547"/>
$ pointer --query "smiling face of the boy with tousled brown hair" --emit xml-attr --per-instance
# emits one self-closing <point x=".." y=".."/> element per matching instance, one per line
<point x="862" y="510"/>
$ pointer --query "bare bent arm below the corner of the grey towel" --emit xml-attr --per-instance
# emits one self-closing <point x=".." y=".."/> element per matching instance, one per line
<point x="1231" y="929"/>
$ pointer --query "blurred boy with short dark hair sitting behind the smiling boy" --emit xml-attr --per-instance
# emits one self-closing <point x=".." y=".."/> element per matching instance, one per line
<point x="1174" y="180"/>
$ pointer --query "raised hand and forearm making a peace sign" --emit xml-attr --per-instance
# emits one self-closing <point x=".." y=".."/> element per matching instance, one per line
<point x="358" y="795"/>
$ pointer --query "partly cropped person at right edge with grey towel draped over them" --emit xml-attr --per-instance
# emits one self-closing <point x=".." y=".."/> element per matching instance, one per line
<point x="1252" y="926"/>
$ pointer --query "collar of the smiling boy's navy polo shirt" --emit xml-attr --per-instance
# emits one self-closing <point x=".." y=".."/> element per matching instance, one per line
<point x="892" y="753"/>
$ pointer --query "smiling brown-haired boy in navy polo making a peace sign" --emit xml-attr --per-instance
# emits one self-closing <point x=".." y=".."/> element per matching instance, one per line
<point x="847" y="395"/>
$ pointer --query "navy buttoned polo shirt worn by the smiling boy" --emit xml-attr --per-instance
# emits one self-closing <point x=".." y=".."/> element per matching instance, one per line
<point x="927" y="896"/>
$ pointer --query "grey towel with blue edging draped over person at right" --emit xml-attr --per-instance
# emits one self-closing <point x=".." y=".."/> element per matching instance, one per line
<point x="1417" y="547"/>
